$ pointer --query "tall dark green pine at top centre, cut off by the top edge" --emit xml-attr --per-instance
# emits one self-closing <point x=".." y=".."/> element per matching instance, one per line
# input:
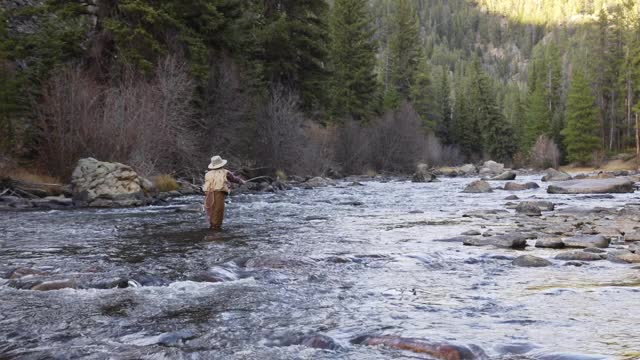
<point x="352" y="87"/>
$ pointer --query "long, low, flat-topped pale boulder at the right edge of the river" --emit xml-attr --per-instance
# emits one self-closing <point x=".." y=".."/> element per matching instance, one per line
<point x="593" y="186"/>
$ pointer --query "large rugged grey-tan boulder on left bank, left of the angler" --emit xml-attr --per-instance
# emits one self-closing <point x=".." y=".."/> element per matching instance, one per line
<point x="104" y="184"/>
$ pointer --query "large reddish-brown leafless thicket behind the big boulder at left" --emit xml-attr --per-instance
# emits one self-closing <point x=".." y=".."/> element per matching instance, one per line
<point x="144" y="123"/>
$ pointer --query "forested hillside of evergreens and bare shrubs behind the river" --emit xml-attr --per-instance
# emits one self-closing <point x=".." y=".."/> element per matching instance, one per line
<point x="314" y="86"/>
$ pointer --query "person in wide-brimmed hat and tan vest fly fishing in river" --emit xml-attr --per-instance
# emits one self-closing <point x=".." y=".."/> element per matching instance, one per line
<point x="216" y="188"/>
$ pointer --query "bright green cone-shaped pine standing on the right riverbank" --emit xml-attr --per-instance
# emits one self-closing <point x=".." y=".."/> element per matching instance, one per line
<point x="581" y="138"/>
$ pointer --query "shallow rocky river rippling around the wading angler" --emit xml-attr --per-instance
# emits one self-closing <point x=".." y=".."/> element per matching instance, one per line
<point x="388" y="269"/>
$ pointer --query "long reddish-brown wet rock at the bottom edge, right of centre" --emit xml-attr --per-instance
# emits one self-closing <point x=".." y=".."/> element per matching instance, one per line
<point x="442" y="351"/>
